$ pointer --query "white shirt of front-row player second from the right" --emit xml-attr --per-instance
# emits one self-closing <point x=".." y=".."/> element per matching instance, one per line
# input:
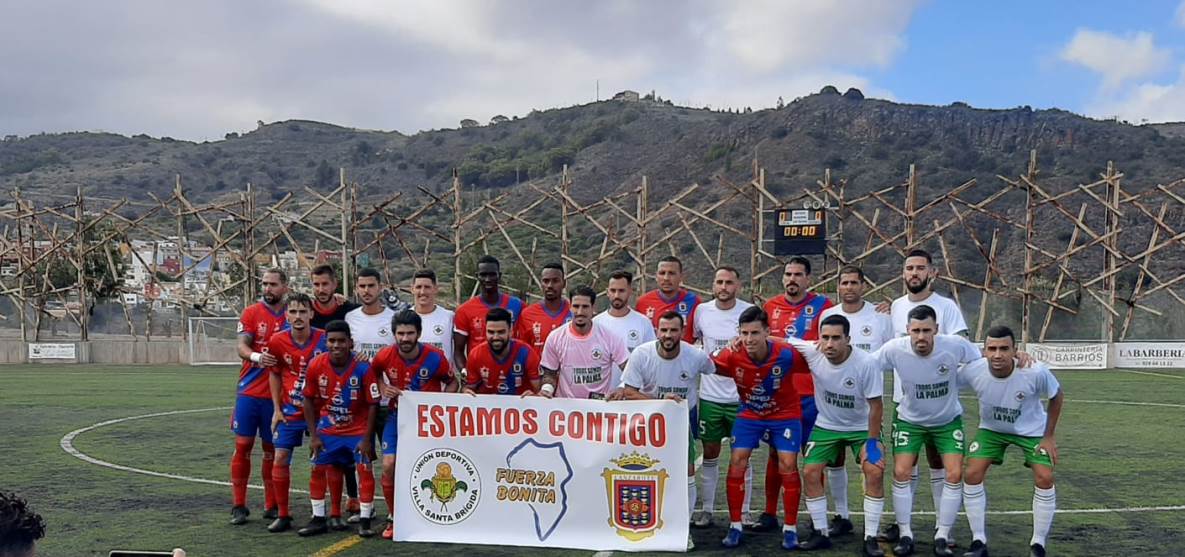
<point x="930" y="383"/>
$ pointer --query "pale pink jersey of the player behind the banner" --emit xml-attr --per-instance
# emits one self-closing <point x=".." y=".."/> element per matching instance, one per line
<point x="588" y="364"/>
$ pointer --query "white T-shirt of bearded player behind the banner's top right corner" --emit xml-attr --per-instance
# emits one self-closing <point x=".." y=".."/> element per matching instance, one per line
<point x="657" y="376"/>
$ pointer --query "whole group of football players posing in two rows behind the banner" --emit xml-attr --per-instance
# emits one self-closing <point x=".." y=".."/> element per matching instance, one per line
<point x="800" y="375"/>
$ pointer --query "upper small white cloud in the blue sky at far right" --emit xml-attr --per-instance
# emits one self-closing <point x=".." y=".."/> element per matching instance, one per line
<point x="1117" y="60"/>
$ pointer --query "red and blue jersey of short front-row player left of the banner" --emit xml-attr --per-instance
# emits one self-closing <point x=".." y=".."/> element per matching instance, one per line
<point x="343" y="396"/>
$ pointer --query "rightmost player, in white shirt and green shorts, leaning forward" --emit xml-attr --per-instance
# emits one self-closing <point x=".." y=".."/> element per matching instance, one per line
<point x="1011" y="413"/>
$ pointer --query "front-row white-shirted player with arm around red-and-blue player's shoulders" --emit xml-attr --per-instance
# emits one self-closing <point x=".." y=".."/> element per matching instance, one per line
<point x="849" y="390"/>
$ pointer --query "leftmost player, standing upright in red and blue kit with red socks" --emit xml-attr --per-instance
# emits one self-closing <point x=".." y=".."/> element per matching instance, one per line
<point x="253" y="399"/>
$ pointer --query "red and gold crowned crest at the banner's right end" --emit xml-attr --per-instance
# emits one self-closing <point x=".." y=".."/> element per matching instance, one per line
<point x="636" y="486"/>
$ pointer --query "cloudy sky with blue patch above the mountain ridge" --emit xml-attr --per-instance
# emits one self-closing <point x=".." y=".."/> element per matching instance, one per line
<point x="200" y="71"/>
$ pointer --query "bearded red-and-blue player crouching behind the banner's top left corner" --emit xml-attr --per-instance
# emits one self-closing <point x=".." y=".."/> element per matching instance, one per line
<point x="408" y="366"/>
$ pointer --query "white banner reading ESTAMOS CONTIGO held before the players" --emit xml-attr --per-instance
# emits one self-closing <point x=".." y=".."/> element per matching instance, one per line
<point x="537" y="472"/>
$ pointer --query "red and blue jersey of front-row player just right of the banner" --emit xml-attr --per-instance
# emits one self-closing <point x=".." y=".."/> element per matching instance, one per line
<point x="767" y="388"/>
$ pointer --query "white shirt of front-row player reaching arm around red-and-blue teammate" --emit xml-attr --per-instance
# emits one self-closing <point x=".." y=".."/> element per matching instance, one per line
<point x="843" y="392"/>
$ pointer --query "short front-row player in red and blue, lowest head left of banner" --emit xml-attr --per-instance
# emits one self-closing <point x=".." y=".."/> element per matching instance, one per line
<point x="348" y="396"/>
